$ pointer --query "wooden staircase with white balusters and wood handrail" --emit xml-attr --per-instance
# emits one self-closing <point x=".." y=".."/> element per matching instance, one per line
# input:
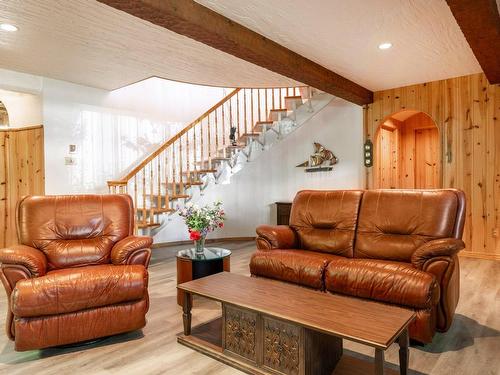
<point x="202" y="152"/>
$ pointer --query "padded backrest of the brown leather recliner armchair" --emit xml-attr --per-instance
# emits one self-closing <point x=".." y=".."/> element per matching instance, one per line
<point x="74" y="230"/>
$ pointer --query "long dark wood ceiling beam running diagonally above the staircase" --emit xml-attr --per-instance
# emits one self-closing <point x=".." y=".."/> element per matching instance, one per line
<point x="188" y="18"/>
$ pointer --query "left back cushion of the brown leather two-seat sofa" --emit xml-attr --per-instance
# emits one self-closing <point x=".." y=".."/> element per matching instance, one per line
<point x="326" y="221"/>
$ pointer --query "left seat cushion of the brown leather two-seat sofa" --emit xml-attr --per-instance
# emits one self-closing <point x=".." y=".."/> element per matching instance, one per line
<point x="296" y="266"/>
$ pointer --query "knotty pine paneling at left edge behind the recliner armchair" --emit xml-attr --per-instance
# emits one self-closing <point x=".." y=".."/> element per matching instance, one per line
<point x="21" y="173"/>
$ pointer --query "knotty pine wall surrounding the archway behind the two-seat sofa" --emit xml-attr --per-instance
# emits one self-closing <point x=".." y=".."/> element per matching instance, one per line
<point x="467" y="113"/>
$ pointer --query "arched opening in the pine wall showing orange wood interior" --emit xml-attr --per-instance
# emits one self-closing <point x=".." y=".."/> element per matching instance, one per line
<point x="407" y="152"/>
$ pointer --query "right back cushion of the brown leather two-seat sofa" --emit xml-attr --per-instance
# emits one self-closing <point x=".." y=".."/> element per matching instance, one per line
<point x="392" y="224"/>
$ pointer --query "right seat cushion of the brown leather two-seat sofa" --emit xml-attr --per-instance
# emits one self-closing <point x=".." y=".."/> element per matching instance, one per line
<point x="383" y="281"/>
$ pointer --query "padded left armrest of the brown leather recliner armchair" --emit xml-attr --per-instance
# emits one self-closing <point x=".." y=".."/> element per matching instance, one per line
<point x="32" y="259"/>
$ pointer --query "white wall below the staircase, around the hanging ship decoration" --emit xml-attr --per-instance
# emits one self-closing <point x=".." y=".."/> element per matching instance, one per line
<point x="273" y="176"/>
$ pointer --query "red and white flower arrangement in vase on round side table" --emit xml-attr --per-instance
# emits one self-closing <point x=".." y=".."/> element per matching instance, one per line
<point x="202" y="220"/>
